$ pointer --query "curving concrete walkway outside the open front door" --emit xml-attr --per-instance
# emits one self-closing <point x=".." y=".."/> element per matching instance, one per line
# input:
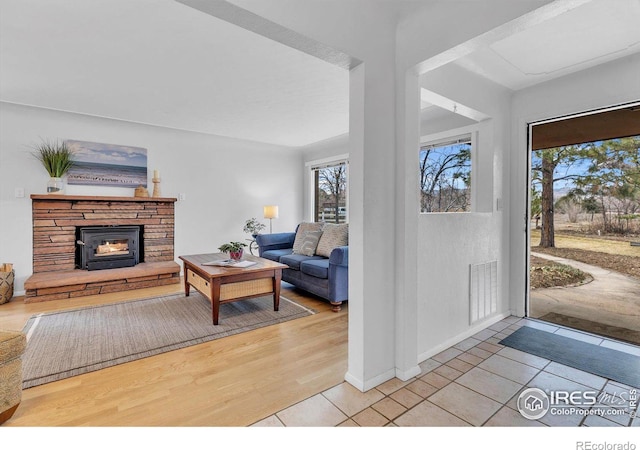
<point x="611" y="299"/>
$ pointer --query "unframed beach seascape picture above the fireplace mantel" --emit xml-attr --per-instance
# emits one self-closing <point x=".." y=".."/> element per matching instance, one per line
<point x="99" y="164"/>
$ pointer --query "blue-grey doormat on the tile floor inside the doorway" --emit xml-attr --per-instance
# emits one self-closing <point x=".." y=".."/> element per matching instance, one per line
<point x="602" y="361"/>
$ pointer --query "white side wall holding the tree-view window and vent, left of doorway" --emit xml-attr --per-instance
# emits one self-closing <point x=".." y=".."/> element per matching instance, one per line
<point x="449" y="242"/>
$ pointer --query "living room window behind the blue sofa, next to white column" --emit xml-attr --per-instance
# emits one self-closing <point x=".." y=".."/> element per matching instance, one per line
<point x="330" y="192"/>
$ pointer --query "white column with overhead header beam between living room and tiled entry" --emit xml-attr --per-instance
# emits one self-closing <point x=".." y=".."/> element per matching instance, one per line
<point x="362" y="30"/>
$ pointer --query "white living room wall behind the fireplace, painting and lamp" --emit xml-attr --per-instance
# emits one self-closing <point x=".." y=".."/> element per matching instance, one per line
<point x="225" y="181"/>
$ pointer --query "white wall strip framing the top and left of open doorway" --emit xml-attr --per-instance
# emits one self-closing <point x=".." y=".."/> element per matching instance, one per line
<point x="606" y="85"/>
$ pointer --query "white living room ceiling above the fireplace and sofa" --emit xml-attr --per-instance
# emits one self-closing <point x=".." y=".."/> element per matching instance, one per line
<point x="163" y="63"/>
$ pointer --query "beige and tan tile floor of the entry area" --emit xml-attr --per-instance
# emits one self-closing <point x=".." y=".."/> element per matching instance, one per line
<point x="474" y="383"/>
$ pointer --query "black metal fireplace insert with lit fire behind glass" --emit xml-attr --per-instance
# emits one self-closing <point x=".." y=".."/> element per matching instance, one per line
<point x="109" y="247"/>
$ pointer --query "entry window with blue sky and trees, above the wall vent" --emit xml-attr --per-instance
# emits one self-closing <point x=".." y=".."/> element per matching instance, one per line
<point x="445" y="175"/>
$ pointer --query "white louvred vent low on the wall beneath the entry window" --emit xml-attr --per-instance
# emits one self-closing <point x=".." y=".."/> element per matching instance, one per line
<point x="483" y="290"/>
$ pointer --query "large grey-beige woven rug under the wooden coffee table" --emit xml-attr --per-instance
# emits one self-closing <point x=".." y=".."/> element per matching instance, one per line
<point x="69" y="343"/>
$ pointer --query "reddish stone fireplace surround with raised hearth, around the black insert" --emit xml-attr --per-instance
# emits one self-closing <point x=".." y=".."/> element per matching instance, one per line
<point x="55" y="218"/>
